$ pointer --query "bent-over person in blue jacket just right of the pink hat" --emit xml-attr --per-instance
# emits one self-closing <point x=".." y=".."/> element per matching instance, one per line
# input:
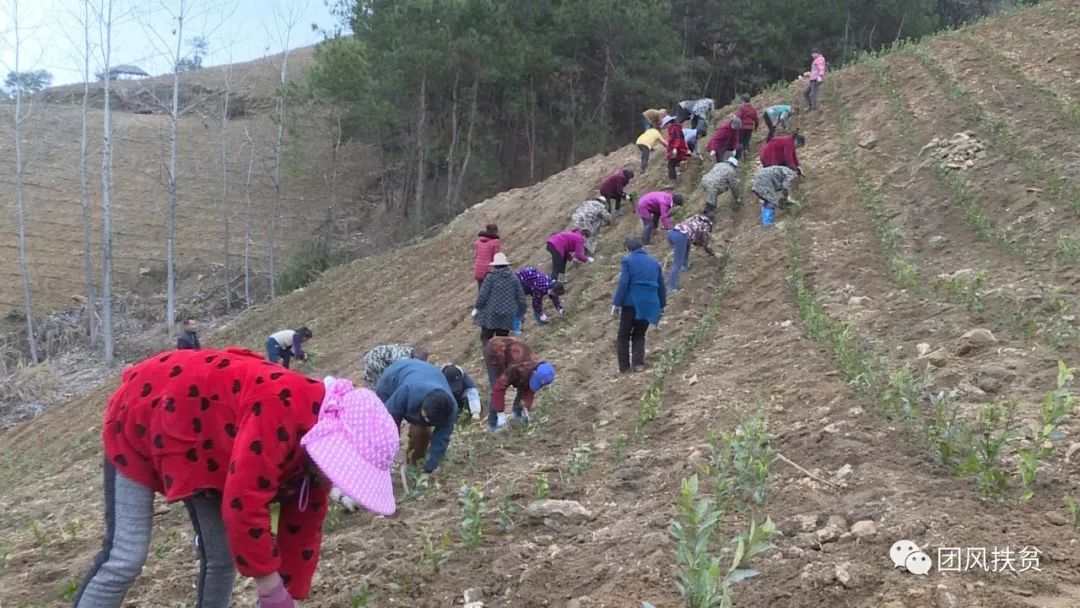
<point x="417" y="393"/>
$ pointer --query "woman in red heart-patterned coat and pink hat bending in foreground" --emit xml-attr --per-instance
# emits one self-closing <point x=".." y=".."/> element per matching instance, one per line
<point x="228" y="434"/>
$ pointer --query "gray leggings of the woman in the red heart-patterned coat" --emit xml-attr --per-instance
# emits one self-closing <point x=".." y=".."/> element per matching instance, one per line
<point x="129" y="520"/>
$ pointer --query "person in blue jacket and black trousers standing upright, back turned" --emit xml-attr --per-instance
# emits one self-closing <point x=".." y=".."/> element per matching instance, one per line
<point x="642" y="298"/>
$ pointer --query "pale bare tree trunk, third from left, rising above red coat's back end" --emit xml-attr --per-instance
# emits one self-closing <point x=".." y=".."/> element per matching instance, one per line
<point x="106" y="197"/>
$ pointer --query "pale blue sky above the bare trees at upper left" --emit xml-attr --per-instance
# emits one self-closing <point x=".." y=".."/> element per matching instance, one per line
<point x="238" y="31"/>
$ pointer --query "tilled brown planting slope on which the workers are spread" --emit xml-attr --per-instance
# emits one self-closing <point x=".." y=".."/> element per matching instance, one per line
<point x="881" y="267"/>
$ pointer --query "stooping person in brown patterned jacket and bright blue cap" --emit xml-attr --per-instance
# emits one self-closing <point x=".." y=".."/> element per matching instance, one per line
<point x="514" y="364"/>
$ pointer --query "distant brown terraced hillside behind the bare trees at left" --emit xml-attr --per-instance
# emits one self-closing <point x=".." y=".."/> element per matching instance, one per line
<point x="51" y="148"/>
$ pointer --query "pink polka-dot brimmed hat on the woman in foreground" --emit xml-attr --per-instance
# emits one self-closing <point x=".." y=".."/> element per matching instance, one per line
<point x="354" y="443"/>
